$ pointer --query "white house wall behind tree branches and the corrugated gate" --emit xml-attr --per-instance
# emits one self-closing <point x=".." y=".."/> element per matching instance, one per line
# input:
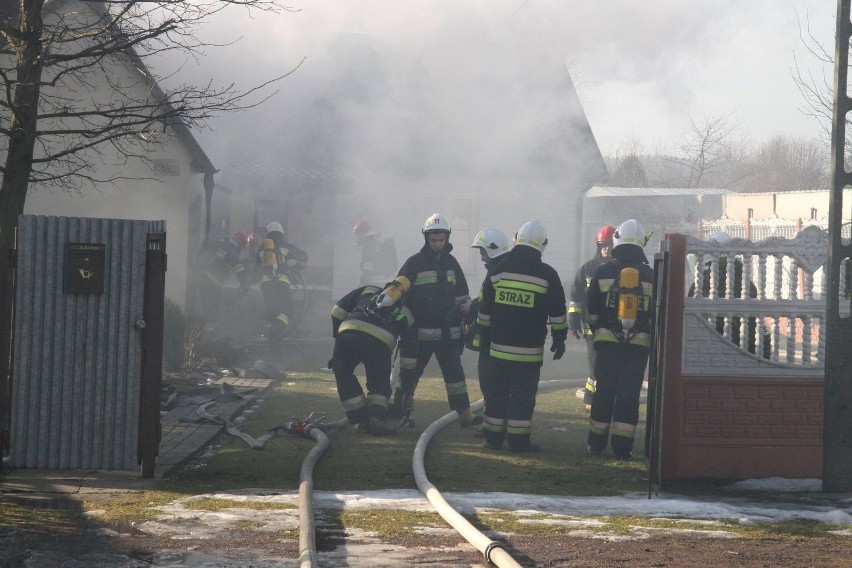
<point x="162" y="191"/>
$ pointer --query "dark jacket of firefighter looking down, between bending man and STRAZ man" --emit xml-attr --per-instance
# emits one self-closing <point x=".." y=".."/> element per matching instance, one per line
<point x="438" y="287"/>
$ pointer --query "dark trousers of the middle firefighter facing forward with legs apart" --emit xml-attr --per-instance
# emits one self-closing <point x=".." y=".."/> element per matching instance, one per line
<point x="448" y="355"/>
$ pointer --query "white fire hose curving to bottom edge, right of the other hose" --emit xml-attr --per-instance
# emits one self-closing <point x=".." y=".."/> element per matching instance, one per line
<point x="493" y="551"/>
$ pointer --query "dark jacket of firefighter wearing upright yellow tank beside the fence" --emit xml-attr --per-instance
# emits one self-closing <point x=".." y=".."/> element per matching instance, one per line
<point x="603" y="296"/>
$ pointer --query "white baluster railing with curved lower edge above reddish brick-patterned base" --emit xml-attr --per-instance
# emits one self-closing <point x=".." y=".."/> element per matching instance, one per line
<point x="759" y="305"/>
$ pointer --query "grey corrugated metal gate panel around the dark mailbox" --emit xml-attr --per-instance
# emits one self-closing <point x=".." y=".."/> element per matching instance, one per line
<point x="76" y="377"/>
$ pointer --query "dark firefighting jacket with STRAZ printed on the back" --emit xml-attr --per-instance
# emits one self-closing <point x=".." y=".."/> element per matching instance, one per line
<point x="520" y="296"/>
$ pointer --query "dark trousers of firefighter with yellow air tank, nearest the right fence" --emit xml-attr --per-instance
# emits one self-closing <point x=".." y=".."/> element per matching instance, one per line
<point x="619" y="371"/>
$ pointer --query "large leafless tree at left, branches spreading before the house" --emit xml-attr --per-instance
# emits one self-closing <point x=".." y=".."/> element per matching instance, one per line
<point x="57" y="120"/>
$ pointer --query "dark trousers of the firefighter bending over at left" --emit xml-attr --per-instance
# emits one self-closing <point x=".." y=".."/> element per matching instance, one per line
<point x="351" y="348"/>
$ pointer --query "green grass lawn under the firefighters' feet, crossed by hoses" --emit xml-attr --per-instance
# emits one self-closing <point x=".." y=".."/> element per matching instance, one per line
<point x="455" y="461"/>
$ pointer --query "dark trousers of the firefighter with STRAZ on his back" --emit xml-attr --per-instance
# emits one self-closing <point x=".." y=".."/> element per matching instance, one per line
<point x="510" y="403"/>
